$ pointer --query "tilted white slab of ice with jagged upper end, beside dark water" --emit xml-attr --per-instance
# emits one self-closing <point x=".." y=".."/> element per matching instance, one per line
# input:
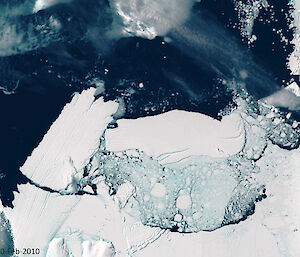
<point x="69" y="144"/>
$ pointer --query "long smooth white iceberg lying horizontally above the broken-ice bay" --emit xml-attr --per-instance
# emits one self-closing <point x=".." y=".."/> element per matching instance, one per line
<point x="177" y="135"/>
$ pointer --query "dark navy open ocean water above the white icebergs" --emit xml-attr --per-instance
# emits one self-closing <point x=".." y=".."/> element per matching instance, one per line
<point x="173" y="75"/>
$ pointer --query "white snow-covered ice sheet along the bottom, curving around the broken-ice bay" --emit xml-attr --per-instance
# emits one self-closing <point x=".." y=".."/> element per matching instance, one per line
<point x="114" y="221"/>
